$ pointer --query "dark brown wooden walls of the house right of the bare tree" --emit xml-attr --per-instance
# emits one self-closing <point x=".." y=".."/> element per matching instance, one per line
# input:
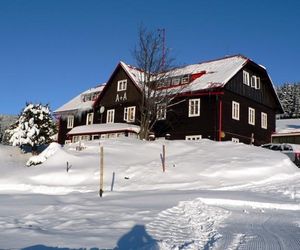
<point x="215" y="121"/>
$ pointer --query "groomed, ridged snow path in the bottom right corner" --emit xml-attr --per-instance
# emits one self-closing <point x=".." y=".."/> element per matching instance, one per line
<point x="261" y="230"/>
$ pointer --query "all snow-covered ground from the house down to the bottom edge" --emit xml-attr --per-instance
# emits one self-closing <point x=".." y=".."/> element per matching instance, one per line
<point x="213" y="195"/>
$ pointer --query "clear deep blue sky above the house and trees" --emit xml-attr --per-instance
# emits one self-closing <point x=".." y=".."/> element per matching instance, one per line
<point x="52" y="50"/>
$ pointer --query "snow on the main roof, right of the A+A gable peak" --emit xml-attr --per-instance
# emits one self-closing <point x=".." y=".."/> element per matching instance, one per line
<point x="216" y="73"/>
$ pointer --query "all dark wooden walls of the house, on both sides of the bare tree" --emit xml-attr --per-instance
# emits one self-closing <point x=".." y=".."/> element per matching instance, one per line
<point x="215" y="121"/>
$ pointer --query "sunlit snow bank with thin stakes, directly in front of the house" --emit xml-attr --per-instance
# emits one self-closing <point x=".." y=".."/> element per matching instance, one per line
<point x="137" y="166"/>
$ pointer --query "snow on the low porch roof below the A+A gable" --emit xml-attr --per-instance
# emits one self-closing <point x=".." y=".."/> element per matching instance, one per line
<point x="104" y="128"/>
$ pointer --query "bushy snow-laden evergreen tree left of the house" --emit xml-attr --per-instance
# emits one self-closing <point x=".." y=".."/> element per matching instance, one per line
<point x="34" y="127"/>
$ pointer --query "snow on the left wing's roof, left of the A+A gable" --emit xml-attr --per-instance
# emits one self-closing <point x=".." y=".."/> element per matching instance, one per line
<point x="78" y="103"/>
